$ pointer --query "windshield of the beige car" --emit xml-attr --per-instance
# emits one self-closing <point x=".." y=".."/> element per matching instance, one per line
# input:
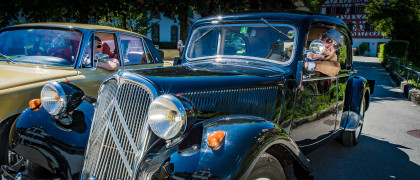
<point x="41" y="46"/>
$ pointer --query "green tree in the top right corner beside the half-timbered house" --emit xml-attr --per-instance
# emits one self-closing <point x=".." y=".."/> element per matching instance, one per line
<point x="398" y="20"/>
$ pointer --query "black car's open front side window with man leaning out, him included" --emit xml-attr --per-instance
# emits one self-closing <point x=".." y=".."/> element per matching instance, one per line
<point x="333" y="57"/>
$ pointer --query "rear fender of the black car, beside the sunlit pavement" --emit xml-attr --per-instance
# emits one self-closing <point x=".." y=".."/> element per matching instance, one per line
<point x="357" y="88"/>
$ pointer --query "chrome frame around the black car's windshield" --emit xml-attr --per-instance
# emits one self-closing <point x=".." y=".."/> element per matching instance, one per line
<point x="190" y="43"/>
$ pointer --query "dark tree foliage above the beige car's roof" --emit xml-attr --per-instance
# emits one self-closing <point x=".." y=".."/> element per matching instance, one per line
<point x="125" y="14"/>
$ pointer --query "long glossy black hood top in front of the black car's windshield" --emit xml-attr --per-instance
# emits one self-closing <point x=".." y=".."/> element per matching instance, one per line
<point x="181" y="79"/>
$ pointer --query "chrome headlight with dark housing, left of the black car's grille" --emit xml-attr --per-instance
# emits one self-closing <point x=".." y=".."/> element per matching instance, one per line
<point x="59" y="98"/>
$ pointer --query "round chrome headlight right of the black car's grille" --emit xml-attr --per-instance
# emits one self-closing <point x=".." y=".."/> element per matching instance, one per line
<point x="167" y="117"/>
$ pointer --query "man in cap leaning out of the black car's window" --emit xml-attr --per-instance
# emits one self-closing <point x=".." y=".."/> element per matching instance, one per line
<point x="326" y="63"/>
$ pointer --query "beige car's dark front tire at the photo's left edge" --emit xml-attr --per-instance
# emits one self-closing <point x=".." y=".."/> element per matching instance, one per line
<point x="4" y="140"/>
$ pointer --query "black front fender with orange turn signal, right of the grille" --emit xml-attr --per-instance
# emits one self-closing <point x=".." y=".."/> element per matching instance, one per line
<point x="246" y="139"/>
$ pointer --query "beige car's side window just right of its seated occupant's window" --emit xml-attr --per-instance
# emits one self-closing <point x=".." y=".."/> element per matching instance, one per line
<point x="132" y="50"/>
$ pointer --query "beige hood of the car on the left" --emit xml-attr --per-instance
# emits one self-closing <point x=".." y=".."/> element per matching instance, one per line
<point x="13" y="75"/>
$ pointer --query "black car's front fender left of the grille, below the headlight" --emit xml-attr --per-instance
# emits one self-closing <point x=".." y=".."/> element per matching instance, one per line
<point x="42" y="139"/>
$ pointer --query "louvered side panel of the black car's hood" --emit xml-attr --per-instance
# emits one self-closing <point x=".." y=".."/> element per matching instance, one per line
<point x="258" y="101"/>
